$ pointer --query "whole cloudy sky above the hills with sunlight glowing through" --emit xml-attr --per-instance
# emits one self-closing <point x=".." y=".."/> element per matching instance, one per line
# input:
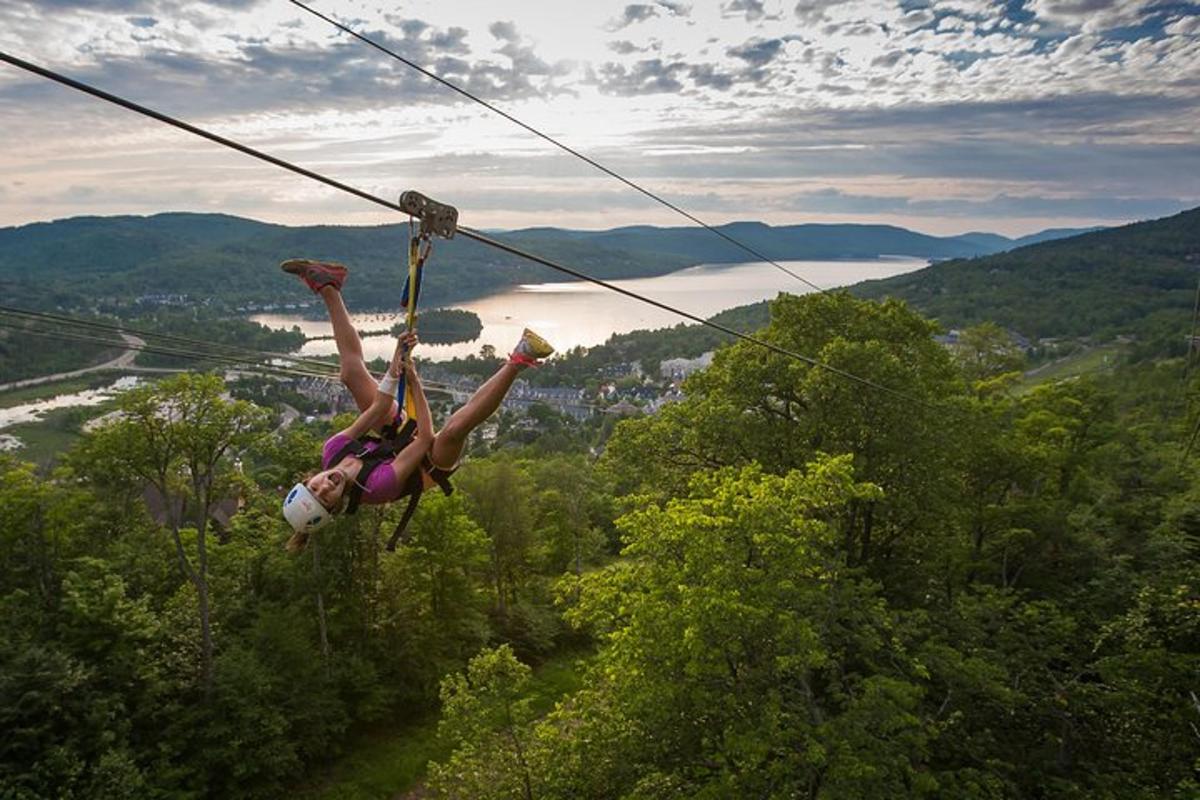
<point x="944" y="117"/>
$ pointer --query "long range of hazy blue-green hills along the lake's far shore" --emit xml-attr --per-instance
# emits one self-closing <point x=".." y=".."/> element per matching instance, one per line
<point x="230" y="261"/>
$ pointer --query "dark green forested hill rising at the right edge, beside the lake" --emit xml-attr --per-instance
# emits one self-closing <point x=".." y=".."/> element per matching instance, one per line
<point x="1135" y="279"/>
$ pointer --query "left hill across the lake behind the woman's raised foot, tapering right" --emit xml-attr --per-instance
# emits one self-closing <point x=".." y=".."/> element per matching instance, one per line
<point x="231" y="262"/>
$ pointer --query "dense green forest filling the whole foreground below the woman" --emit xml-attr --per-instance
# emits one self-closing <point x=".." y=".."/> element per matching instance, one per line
<point x="952" y="584"/>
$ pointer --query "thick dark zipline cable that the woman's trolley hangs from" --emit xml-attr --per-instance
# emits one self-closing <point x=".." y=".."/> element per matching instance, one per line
<point x="466" y="232"/>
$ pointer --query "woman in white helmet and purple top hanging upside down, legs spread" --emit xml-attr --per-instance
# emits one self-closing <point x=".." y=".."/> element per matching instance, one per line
<point x="314" y="502"/>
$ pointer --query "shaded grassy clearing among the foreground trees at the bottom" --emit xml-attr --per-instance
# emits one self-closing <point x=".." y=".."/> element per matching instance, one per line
<point x="386" y="762"/>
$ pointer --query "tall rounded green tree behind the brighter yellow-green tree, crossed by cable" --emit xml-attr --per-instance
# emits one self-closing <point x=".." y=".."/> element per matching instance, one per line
<point x="754" y="406"/>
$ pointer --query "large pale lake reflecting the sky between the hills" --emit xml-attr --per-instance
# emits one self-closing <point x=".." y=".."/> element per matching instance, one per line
<point x="579" y="314"/>
